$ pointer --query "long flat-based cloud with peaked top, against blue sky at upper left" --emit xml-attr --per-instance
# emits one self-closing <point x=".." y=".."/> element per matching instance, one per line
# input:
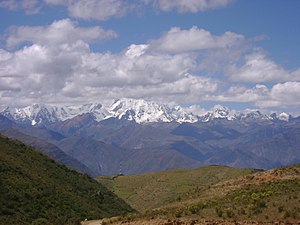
<point x="59" y="32"/>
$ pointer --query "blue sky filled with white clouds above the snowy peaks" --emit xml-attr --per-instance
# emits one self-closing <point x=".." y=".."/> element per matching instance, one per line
<point x="237" y="53"/>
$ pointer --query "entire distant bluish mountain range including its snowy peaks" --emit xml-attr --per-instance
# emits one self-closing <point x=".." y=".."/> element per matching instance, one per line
<point x="137" y="136"/>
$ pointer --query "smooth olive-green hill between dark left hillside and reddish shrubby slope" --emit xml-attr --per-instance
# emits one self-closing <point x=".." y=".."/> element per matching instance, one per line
<point x="152" y="190"/>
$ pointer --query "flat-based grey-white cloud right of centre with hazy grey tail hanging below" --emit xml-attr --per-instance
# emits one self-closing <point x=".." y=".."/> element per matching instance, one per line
<point x="215" y="53"/>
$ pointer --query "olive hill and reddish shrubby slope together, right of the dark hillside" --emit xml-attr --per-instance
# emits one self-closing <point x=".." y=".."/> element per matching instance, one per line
<point x="214" y="192"/>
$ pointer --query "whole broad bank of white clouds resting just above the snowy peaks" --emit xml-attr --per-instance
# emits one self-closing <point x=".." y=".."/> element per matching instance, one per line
<point x="57" y="65"/>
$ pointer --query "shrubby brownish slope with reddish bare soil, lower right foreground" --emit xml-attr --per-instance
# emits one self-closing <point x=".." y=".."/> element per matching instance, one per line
<point x="265" y="196"/>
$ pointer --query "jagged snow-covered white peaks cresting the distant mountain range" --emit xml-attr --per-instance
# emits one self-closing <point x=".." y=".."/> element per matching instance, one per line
<point x="140" y="111"/>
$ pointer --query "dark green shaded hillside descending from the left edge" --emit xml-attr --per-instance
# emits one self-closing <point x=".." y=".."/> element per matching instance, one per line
<point x="34" y="189"/>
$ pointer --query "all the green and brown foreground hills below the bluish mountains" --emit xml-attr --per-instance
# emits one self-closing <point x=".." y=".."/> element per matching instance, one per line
<point x="207" y="195"/>
